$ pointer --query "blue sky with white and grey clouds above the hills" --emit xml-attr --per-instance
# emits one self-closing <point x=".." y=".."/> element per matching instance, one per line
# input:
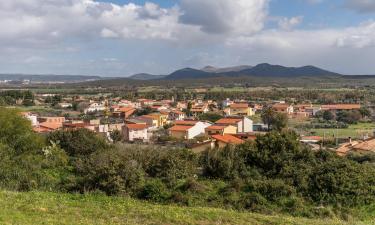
<point x="125" y="37"/>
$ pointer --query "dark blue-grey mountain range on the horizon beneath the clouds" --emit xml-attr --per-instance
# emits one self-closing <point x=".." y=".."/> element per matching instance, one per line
<point x="260" y="70"/>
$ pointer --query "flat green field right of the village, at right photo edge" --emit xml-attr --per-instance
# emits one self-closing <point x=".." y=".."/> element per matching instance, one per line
<point x="354" y="131"/>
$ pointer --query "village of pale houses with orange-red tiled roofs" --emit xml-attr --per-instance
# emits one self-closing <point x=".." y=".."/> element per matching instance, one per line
<point x="196" y="124"/>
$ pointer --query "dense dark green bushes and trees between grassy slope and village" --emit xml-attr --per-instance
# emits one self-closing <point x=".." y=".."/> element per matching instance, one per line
<point x="275" y="173"/>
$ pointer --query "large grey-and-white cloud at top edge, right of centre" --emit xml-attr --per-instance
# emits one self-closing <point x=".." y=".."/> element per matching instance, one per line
<point x="225" y="16"/>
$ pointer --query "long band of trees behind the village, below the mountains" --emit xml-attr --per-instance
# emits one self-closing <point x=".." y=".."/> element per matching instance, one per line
<point x="293" y="96"/>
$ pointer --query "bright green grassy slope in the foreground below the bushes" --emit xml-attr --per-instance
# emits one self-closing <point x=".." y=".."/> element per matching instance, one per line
<point x="48" y="208"/>
